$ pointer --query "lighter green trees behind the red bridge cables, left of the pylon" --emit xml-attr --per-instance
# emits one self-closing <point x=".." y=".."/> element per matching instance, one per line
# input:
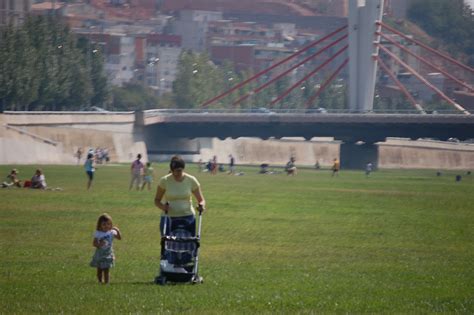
<point x="199" y="80"/>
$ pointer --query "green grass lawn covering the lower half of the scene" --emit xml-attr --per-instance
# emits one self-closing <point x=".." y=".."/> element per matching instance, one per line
<point x="398" y="242"/>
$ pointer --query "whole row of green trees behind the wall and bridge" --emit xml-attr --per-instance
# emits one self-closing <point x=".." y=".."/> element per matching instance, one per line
<point x="43" y="66"/>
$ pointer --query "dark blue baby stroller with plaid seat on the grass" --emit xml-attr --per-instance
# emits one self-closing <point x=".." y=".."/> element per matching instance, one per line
<point x="179" y="252"/>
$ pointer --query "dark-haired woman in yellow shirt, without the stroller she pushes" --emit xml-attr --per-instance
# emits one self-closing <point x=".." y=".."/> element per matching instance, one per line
<point x="173" y="196"/>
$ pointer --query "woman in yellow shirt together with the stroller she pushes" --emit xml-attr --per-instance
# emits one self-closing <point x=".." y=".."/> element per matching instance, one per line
<point x="179" y="242"/>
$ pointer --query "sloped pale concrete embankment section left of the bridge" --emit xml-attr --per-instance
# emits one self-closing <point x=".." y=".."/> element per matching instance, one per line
<point x="32" y="138"/>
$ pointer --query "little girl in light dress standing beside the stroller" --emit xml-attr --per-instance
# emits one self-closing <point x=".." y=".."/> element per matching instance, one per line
<point x="104" y="257"/>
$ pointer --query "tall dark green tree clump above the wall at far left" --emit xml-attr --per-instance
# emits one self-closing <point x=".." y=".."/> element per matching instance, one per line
<point x="44" y="67"/>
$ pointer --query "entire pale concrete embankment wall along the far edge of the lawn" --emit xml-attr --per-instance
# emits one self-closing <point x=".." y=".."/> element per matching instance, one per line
<point x="53" y="138"/>
